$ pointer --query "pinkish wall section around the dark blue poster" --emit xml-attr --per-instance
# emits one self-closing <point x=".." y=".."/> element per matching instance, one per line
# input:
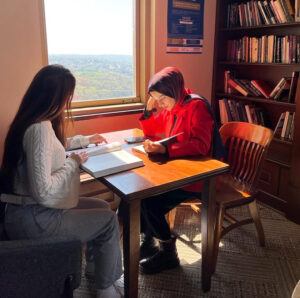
<point x="197" y="68"/>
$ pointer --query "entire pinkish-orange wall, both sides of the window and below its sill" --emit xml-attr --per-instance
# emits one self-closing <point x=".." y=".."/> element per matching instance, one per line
<point x="21" y="55"/>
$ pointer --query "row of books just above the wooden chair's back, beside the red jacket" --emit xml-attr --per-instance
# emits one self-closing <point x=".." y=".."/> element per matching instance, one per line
<point x="231" y="110"/>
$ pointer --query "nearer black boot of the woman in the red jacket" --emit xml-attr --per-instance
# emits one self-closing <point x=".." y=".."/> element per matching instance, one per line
<point x="166" y="258"/>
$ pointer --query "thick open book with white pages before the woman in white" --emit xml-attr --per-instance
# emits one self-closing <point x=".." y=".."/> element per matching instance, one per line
<point x="110" y="163"/>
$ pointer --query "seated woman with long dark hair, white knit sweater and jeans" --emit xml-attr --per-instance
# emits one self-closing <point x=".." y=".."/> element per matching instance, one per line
<point x="40" y="185"/>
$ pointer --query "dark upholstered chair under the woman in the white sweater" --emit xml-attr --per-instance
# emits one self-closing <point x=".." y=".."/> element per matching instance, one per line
<point x="49" y="267"/>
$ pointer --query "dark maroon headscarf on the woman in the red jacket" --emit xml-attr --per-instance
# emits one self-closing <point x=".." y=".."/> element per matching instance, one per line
<point x="169" y="81"/>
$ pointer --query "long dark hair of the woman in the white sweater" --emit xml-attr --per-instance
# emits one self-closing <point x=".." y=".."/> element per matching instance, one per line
<point x="49" y="93"/>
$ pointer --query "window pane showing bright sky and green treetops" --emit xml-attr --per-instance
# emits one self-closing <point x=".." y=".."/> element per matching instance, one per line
<point x="95" y="39"/>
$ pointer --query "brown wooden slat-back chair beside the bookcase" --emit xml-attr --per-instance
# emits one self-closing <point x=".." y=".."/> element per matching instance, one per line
<point x="246" y="145"/>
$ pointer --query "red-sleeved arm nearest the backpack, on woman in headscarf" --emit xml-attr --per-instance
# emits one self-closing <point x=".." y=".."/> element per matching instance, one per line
<point x="200" y="135"/>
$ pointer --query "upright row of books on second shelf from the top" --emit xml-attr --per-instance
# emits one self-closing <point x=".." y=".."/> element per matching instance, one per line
<point x="265" y="49"/>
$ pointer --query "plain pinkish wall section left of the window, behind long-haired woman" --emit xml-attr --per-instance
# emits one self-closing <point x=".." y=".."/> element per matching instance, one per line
<point x="20" y="55"/>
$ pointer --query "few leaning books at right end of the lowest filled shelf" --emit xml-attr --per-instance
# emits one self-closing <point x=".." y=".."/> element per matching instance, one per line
<point x="285" y="126"/>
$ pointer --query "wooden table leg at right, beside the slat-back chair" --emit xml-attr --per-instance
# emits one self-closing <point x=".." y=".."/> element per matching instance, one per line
<point x="207" y="231"/>
